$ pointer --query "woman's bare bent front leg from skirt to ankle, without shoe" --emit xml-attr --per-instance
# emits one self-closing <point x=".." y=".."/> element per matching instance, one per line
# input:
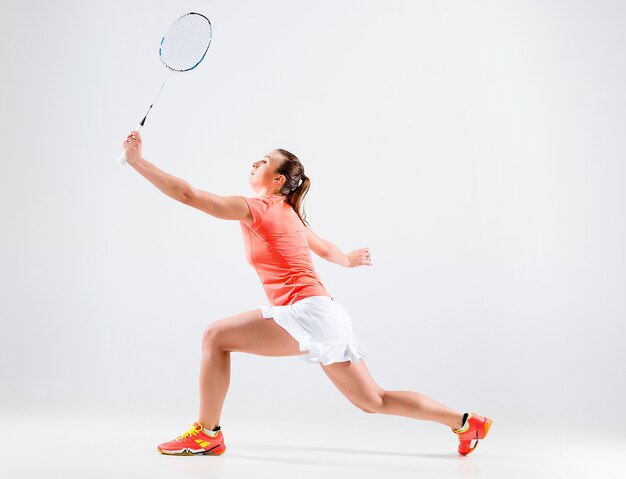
<point x="247" y="332"/>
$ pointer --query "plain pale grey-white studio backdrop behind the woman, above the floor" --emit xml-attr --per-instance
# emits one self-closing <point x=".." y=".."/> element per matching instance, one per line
<point x="476" y="147"/>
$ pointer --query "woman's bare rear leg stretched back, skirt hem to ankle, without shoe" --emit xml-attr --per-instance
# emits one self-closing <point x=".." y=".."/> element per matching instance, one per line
<point x="356" y="383"/>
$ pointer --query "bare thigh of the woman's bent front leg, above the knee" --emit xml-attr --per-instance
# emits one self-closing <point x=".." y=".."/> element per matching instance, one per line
<point x="250" y="332"/>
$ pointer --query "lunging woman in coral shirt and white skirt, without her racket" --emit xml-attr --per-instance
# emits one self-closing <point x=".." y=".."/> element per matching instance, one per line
<point x="302" y="319"/>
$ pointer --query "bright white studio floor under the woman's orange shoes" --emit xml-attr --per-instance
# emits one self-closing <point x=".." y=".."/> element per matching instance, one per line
<point x="68" y="446"/>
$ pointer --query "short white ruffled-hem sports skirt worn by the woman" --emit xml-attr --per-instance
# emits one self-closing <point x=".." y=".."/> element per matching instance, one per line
<point x="321" y="326"/>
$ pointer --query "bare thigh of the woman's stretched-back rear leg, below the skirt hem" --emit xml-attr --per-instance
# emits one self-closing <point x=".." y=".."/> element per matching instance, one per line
<point x="356" y="383"/>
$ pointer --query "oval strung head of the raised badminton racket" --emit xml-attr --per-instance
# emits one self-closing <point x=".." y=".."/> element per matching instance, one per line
<point x="186" y="42"/>
